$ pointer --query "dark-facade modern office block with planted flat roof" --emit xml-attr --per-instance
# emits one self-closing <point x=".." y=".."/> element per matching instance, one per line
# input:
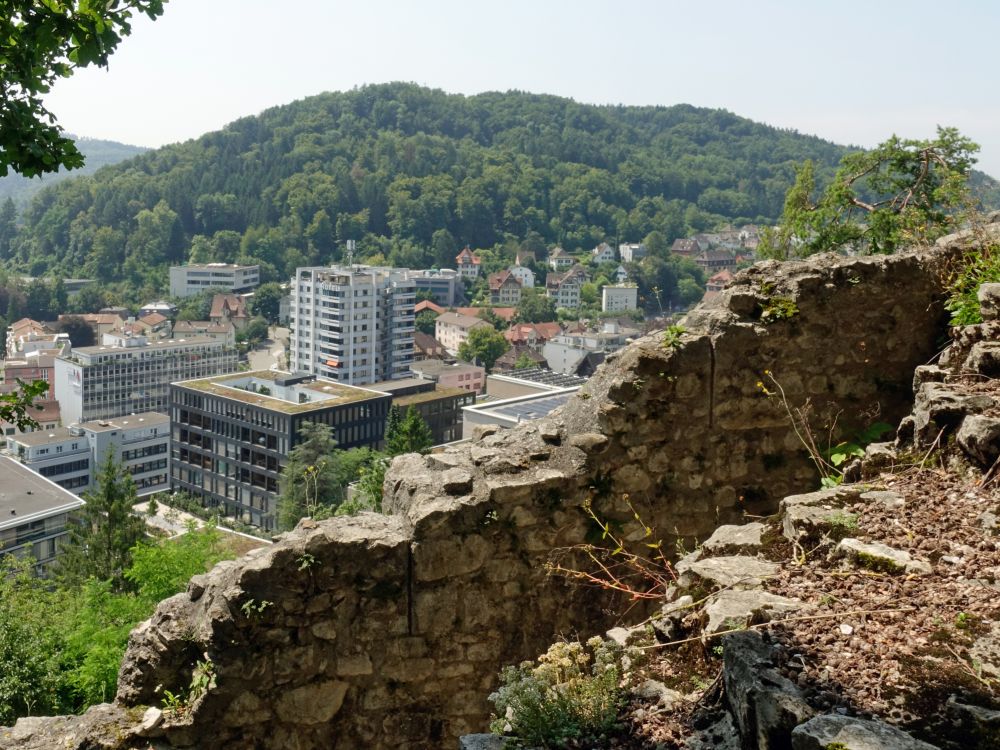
<point x="231" y="435"/>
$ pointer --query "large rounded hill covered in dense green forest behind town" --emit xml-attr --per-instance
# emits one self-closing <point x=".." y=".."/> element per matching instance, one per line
<point x="414" y="174"/>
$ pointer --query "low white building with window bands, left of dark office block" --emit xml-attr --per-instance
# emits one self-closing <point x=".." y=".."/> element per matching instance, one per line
<point x="72" y="457"/>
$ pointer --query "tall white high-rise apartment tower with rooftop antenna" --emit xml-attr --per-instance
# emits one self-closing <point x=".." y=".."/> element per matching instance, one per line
<point x="352" y="324"/>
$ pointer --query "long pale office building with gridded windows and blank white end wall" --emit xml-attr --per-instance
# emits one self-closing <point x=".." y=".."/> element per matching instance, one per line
<point x="129" y="375"/>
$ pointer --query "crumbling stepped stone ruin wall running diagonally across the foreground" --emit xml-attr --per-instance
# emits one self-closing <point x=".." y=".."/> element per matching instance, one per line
<point x="388" y="631"/>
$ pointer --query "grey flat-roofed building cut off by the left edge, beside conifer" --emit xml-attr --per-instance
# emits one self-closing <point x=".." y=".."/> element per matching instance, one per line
<point x="34" y="514"/>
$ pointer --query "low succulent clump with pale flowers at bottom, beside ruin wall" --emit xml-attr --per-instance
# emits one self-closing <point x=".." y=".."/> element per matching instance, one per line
<point x="574" y="692"/>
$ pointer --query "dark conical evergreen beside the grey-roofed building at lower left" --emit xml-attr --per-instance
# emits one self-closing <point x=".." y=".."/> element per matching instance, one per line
<point x="100" y="544"/>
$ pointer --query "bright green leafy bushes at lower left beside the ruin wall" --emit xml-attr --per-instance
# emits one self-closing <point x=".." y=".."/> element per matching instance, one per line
<point x="61" y="642"/>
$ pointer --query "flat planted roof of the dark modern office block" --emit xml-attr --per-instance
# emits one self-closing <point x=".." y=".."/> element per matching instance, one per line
<point x="333" y="393"/>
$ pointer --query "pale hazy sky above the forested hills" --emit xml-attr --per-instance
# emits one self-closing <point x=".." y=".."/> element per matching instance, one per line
<point x="851" y="72"/>
